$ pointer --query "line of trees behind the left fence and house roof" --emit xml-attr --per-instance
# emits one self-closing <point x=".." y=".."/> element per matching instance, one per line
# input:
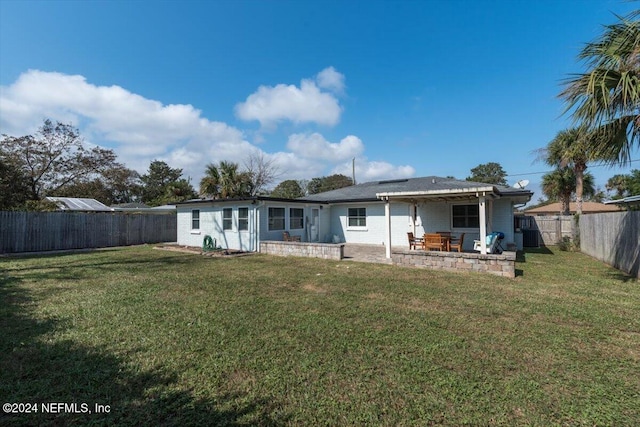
<point x="55" y="161"/>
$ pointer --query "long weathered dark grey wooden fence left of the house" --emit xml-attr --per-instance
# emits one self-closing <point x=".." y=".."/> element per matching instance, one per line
<point x="48" y="231"/>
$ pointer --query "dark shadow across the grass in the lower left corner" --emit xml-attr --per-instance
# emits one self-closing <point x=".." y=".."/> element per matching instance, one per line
<point x="35" y="369"/>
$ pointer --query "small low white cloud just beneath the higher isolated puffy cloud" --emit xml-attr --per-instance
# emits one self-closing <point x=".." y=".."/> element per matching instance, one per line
<point x="315" y="146"/>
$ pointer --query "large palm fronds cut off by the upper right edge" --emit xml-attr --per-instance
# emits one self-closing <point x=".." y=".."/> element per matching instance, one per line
<point x="606" y="98"/>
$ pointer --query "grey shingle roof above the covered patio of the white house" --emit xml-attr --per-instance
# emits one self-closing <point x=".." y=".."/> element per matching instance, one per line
<point x="368" y="190"/>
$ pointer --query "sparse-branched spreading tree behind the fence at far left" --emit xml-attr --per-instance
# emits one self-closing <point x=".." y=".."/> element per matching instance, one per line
<point x="55" y="157"/>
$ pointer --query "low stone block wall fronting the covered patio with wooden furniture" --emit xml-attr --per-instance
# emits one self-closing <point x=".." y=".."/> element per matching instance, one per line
<point x="502" y="265"/>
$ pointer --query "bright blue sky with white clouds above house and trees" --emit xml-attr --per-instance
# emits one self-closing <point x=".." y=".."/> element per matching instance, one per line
<point x="407" y="88"/>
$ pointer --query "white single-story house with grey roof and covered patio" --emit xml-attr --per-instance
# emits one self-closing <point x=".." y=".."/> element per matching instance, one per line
<point x="374" y="213"/>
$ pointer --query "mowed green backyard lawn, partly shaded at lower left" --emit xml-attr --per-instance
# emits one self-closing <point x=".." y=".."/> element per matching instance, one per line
<point x="165" y="338"/>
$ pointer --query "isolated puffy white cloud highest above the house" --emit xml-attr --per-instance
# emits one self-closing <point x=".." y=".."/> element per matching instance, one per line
<point x="306" y="104"/>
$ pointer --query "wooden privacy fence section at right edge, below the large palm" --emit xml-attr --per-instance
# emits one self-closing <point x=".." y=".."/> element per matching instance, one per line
<point x="613" y="237"/>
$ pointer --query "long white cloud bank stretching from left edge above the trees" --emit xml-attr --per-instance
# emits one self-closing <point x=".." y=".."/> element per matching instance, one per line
<point x="139" y="129"/>
